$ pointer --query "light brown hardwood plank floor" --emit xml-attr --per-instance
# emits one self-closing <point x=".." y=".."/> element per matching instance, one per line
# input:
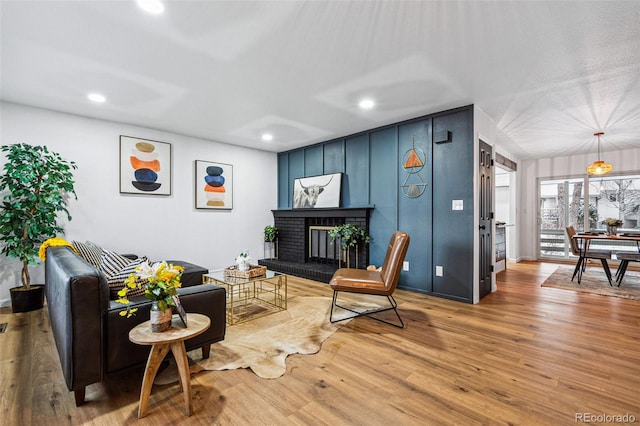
<point x="524" y="355"/>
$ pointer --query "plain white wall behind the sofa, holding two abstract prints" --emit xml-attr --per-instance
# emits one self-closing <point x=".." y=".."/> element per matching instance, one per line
<point x="160" y="227"/>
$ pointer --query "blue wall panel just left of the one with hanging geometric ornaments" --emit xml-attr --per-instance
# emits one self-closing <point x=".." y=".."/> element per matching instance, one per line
<point x="383" y="190"/>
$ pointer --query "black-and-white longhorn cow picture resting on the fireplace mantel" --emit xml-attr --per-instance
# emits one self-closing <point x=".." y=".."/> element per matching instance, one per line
<point x="316" y="192"/>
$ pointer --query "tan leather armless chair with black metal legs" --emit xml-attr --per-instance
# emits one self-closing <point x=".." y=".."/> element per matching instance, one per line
<point x="379" y="283"/>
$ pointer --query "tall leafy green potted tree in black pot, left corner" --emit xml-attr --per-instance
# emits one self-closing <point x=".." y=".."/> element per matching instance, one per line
<point x="38" y="182"/>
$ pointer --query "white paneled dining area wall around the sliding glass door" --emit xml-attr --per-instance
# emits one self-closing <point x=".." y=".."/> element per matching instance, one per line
<point x="624" y="162"/>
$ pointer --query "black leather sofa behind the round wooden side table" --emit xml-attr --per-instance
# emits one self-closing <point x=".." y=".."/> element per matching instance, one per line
<point x="92" y="338"/>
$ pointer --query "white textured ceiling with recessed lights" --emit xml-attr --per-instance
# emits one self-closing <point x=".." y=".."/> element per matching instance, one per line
<point x="549" y="73"/>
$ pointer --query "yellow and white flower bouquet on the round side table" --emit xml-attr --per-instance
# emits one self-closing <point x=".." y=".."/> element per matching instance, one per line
<point x="159" y="281"/>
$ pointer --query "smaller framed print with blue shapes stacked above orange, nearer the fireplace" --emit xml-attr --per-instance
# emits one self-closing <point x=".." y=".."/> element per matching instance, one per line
<point x="213" y="185"/>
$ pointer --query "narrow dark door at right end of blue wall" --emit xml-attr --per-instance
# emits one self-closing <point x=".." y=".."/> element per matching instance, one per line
<point x="486" y="214"/>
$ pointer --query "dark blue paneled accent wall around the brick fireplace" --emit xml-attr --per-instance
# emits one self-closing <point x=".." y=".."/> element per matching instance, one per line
<point x="374" y="175"/>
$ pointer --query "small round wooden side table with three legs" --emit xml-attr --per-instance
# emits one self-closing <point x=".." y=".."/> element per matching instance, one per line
<point x="160" y="344"/>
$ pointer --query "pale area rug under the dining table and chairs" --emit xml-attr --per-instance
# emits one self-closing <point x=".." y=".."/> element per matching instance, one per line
<point x="594" y="281"/>
